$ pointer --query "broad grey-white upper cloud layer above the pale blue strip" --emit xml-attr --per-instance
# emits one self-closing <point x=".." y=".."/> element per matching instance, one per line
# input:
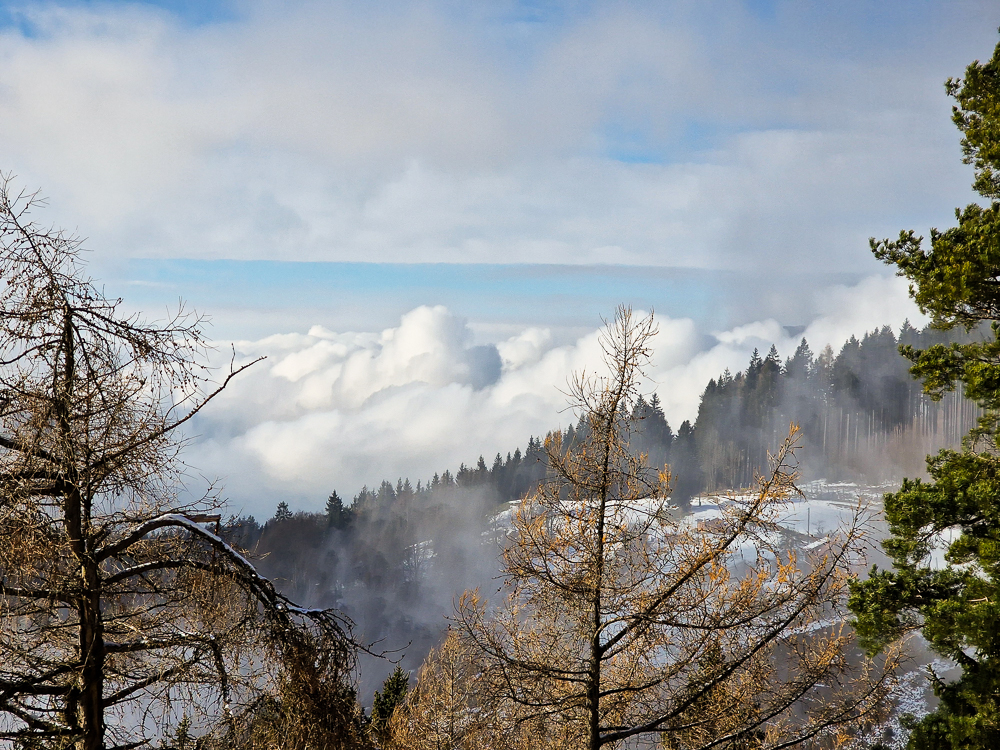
<point x="716" y="134"/>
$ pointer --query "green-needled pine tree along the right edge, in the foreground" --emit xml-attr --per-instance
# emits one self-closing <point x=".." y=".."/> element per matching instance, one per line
<point x="957" y="606"/>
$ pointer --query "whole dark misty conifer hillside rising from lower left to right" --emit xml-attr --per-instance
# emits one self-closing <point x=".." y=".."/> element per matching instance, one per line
<point x="395" y="556"/>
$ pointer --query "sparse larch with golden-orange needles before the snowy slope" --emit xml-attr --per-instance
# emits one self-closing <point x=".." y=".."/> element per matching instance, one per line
<point x="625" y="620"/>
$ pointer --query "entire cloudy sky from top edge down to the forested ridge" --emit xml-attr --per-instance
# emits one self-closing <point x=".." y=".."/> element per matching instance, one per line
<point x="460" y="174"/>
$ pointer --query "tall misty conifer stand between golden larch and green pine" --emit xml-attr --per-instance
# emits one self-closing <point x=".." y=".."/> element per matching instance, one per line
<point x="863" y="416"/>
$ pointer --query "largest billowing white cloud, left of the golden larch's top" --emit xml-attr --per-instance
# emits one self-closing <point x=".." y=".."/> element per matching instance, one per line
<point x="327" y="410"/>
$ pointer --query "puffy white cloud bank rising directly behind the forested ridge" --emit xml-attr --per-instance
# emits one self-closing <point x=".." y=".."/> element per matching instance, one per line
<point x="330" y="410"/>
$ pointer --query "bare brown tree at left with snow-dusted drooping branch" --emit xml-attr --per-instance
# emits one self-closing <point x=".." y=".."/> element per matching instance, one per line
<point x="121" y="609"/>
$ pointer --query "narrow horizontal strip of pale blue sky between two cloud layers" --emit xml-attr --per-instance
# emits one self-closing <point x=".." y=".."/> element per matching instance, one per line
<point x="496" y="297"/>
